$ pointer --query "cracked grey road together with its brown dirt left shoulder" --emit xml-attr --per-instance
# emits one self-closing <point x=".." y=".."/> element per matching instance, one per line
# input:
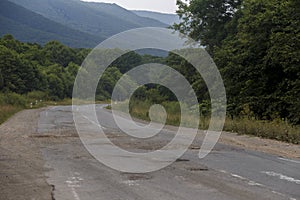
<point x="62" y="168"/>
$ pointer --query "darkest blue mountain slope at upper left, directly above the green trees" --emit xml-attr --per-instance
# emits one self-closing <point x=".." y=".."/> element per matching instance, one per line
<point x="28" y="26"/>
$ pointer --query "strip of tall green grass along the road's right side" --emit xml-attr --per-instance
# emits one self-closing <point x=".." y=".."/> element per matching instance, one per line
<point x="277" y="130"/>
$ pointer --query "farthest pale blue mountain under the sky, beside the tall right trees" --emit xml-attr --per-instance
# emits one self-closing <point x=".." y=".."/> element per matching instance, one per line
<point x="169" y="19"/>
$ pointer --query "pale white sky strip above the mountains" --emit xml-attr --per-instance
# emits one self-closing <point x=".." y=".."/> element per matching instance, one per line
<point x="164" y="6"/>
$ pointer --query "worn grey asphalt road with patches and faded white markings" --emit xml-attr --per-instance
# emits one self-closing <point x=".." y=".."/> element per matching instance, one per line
<point x="226" y="173"/>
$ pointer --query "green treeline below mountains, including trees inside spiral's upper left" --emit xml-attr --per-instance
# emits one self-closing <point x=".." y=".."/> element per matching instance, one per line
<point x="49" y="71"/>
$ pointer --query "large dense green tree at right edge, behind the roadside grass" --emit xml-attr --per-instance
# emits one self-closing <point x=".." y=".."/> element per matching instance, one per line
<point x="260" y="64"/>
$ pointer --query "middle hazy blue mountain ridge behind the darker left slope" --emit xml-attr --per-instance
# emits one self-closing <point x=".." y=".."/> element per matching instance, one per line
<point x="99" y="19"/>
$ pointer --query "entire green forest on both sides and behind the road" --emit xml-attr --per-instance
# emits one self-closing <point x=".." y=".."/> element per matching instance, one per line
<point x="254" y="43"/>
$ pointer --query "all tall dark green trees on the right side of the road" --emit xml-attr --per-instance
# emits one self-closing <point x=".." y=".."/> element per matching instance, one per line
<point x="255" y="44"/>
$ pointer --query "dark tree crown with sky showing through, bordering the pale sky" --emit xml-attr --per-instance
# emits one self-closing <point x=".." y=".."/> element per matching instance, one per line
<point x="206" y="20"/>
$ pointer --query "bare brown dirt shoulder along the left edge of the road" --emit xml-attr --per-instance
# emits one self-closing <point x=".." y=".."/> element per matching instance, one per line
<point x="22" y="173"/>
